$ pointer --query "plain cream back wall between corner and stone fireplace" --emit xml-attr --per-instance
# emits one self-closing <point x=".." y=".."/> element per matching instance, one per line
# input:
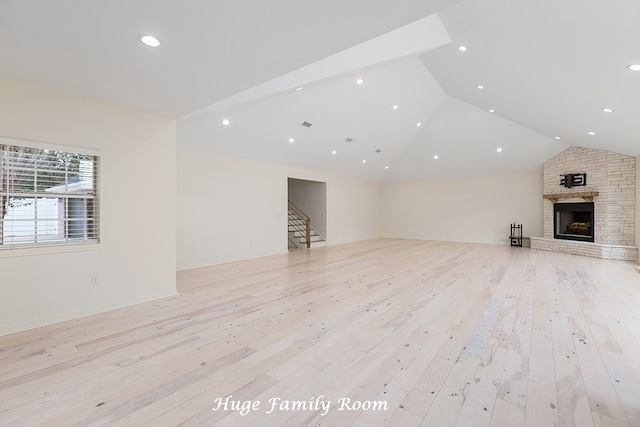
<point x="476" y="209"/>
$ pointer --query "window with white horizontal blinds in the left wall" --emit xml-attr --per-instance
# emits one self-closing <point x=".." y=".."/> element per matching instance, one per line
<point x="47" y="197"/>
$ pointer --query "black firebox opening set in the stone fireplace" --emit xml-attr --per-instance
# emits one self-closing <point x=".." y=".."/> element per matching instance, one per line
<point x="573" y="221"/>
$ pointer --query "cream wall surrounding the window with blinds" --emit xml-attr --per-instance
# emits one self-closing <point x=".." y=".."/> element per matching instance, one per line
<point x="135" y="261"/>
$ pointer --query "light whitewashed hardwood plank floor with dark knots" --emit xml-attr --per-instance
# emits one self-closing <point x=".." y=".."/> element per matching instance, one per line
<point x="442" y="334"/>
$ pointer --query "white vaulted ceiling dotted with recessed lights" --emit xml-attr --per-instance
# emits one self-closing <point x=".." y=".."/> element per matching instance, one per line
<point x="548" y="68"/>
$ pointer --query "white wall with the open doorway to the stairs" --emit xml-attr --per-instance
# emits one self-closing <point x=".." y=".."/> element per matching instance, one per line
<point x="231" y="209"/>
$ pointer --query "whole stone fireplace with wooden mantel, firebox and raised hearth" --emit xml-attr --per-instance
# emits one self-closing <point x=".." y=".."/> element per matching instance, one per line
<point x="589" y="206"/>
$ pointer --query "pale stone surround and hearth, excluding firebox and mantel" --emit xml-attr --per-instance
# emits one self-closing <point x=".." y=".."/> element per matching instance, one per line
<point x="611" y="174"/>
